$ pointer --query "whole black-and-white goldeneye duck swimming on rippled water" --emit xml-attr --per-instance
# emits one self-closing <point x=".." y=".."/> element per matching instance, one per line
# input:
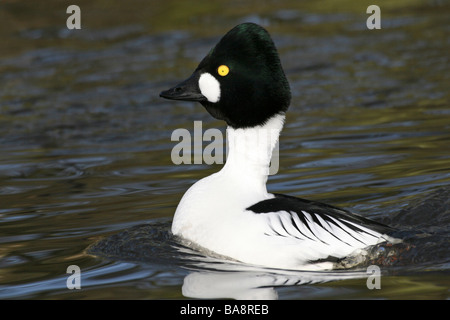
<point x="230" y="213"/>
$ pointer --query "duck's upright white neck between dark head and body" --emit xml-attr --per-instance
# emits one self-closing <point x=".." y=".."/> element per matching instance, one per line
<point x="250" y="150"/>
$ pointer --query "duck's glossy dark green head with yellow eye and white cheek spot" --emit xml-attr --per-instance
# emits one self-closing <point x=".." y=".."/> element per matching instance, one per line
<point x="240" y="81"/>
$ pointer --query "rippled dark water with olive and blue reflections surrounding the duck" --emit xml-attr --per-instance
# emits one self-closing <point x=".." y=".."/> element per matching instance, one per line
<point x="86" y="145"/>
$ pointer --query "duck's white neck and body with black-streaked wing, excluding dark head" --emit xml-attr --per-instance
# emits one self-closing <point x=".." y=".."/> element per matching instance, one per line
<point x="231" y="212"/>
